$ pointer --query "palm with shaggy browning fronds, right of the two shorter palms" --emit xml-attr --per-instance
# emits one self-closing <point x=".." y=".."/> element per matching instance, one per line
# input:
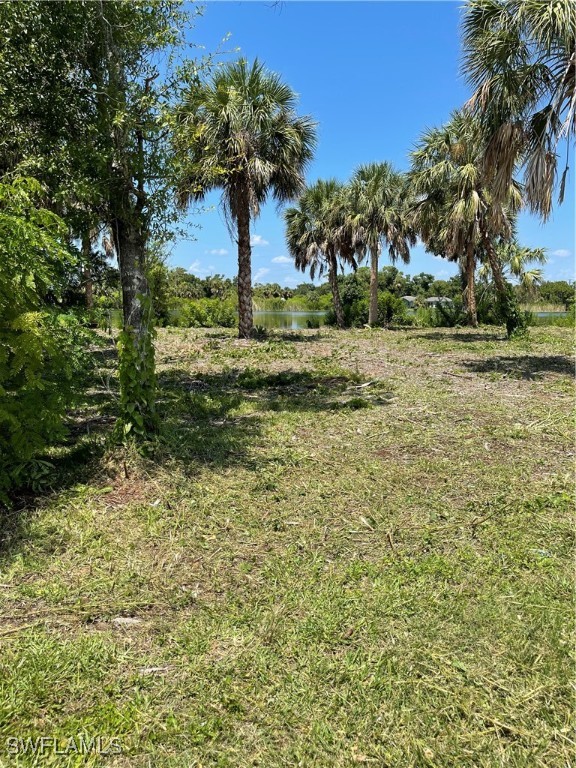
<point x="456" y="213"/>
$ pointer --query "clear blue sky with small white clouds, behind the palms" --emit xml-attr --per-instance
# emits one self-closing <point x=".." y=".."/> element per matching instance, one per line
<point x="373" y="75"/>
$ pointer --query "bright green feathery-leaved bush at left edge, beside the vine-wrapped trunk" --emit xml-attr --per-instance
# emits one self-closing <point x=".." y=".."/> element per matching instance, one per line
<point x="42" y="350"/>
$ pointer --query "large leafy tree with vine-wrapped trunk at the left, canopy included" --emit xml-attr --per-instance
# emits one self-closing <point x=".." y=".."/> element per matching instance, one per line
<point x="85" y="102"/>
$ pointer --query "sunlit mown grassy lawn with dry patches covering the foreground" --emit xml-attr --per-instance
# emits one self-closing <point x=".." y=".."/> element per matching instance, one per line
<point x="347" y="548"/>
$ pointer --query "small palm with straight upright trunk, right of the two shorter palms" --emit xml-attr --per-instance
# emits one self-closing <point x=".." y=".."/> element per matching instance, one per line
<point x="378" y="216"/>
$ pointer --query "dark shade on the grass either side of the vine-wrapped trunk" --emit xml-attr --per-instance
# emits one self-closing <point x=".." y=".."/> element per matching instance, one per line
<point x="203" y="422"/>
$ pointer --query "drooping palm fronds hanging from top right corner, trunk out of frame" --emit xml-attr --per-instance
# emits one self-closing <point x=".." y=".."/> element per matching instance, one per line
<point x="519" y="56"/>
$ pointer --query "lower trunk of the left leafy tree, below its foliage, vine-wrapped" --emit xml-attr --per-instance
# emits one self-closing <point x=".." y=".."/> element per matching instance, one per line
<point x="136" y="347"/>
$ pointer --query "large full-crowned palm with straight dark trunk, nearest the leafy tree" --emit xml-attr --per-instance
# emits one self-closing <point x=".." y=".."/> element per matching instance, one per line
<point x="239" y="132"/>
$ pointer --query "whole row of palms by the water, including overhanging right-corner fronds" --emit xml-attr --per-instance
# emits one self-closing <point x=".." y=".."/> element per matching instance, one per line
<point x="240" y="132"/>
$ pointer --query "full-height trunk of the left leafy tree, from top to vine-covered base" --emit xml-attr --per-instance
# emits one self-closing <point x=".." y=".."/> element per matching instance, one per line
<point x="127" y="202"/>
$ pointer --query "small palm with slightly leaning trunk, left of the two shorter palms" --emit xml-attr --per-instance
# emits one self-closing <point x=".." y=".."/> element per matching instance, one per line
<point x="317" y="235"/>
